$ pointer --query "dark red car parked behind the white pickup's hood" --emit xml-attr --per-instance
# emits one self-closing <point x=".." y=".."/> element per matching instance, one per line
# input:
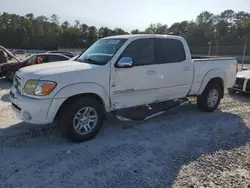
<point x="9" y="69"/>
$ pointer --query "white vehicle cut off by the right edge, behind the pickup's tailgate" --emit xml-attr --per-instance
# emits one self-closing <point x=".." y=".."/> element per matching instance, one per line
<point x="242" y="82"/>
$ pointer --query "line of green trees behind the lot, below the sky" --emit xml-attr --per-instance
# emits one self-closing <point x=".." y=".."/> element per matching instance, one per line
<point x="227" y="28"/>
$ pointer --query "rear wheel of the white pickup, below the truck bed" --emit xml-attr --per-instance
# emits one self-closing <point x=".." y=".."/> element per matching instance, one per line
<point x="203" y="100"/>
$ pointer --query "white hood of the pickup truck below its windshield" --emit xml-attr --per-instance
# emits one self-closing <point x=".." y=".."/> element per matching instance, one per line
<point x="55" y="68"/>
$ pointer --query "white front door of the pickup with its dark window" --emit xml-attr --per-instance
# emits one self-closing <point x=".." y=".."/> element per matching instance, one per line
<point x="134" y="86"/>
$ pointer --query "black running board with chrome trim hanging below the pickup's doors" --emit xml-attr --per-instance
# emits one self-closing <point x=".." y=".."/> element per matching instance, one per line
<point x="146" y="112"/>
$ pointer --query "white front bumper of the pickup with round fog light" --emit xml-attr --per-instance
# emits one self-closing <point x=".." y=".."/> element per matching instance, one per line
<point x="34" y="111"/>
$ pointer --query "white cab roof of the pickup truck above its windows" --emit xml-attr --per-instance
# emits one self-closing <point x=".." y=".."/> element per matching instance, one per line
<point x="137" y="36"/>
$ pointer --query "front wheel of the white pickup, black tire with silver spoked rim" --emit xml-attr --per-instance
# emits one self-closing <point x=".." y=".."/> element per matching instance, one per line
<point x="68" y="123"/>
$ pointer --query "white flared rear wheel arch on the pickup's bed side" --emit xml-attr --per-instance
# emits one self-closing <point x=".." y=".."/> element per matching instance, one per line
<point x="214" y="73"/>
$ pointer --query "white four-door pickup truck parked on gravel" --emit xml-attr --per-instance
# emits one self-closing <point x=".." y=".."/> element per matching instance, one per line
<point x="115" y="73"/>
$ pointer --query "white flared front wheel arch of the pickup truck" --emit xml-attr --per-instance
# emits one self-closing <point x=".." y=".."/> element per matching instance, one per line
<point x="84" y="88"/>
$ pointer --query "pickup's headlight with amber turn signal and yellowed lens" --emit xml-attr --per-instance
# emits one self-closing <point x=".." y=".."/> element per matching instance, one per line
<point x="40" y="88"/>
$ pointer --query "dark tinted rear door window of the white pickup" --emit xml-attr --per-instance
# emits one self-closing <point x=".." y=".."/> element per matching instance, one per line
<point x="169" y="51"/>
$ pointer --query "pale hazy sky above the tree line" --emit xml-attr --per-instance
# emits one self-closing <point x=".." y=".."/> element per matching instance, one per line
<point x="126" y="14"/>
